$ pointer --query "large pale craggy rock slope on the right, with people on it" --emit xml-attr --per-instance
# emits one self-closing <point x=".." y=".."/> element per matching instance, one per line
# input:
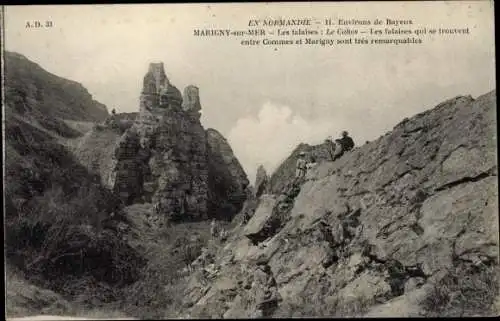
<point x="377" y="232"/>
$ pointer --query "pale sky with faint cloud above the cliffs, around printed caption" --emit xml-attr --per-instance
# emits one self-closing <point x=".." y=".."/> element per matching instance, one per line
<point x="265" y="101"/>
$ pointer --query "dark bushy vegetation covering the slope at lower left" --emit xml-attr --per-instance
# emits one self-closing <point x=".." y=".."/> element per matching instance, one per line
<point x="58" y="217"/>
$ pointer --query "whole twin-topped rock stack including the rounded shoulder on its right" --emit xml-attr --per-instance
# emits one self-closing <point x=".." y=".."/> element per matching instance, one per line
<point x="189" y="172"/>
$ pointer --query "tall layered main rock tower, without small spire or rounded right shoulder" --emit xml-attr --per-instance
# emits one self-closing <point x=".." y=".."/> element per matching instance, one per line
<point x="170" y="164"/>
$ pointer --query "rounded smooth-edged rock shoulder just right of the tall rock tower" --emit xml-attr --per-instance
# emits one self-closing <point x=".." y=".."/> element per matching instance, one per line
<point x="227" y="181"/>
